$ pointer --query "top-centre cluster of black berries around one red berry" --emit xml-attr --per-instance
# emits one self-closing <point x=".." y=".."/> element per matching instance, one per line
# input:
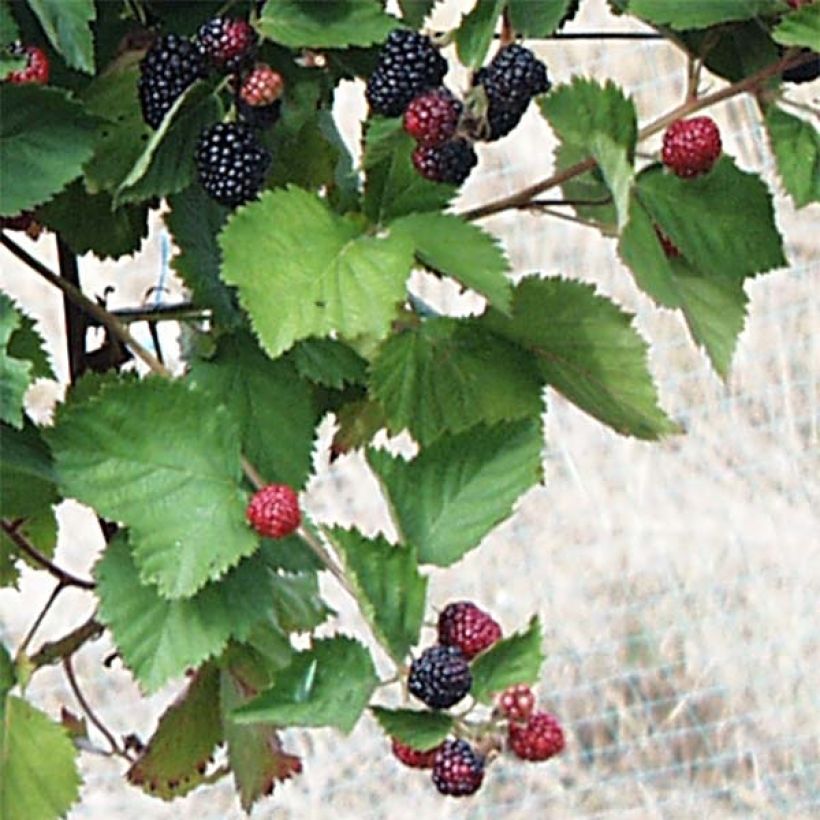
<point x="408" y="81"/>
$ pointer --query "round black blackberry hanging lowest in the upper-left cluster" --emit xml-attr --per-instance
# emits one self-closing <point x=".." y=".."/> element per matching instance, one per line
<point x="231" y="163"/>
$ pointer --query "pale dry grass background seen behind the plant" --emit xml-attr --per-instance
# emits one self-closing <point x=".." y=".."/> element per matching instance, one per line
<point x="678" y="581"/>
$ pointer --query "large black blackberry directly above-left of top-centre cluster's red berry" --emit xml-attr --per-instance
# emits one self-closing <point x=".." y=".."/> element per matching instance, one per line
<point x="408" y="64"/>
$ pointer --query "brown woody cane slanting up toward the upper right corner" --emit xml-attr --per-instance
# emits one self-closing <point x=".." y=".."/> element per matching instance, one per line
<point x="524" y="196"/>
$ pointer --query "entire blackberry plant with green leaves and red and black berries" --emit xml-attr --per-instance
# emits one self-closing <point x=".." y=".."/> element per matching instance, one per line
<point x="297" y="258"/>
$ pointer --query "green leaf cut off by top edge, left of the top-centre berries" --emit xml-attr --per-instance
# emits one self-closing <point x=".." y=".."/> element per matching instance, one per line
<point x="329" y="24"/>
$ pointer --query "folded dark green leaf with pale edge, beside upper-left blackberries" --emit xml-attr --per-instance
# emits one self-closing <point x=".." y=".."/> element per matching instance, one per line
<point x="166" y="164"/>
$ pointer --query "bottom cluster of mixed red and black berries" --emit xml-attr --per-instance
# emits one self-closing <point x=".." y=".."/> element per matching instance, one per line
<point x="440" y="677"/>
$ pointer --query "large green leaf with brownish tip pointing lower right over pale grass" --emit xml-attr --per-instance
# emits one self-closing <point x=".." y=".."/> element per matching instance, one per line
<point x="586" y="348"/>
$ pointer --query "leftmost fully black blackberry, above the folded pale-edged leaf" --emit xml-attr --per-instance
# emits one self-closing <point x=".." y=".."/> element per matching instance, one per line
<point x="167" y="69"/>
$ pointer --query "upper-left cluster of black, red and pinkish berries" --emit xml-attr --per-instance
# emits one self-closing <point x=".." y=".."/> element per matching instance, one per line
<point x="231" y="161"/>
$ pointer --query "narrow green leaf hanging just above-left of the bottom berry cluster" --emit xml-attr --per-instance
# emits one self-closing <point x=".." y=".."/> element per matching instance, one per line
<point x="390" y="590"/>
